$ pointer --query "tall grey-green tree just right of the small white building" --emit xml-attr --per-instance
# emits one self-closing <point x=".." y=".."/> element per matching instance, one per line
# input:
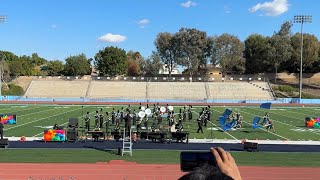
<point x="191" y="45"/>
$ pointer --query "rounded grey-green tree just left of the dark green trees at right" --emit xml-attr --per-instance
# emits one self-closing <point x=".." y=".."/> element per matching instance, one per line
<point x="228" y="53"/>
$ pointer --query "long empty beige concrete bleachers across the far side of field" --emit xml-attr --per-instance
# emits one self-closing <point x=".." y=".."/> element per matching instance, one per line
<point x="149" y="90"/>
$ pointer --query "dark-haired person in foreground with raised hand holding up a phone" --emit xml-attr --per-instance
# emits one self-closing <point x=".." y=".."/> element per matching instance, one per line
<point x="226" y="168"/>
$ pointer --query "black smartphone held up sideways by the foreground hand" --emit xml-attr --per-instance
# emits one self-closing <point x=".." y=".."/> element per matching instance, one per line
<point x="190" y="160"/>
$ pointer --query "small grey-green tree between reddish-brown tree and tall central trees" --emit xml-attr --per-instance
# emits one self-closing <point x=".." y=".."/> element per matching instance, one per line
<point x="153" y="64"/>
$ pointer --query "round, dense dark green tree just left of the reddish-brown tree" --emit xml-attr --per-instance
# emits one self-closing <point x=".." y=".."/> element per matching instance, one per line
<point x="111" y="61"/>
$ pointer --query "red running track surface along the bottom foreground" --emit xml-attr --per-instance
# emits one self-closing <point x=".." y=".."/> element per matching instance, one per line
<point x="118" y="170"/>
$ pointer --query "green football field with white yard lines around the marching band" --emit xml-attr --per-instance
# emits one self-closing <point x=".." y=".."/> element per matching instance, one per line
<point x="288" y="122"/>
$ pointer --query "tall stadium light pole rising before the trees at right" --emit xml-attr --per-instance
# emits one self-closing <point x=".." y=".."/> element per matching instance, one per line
<point x="301" y="19"/>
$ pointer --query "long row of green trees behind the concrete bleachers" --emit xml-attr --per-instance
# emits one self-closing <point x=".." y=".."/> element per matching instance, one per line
<point x="190" y="48"/>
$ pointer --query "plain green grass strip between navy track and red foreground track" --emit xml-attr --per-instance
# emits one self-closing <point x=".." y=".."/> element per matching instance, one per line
<point x="153" y="157"/>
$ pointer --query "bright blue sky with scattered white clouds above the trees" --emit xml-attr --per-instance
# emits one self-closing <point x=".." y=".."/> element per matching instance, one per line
<point x="56" y="29"/>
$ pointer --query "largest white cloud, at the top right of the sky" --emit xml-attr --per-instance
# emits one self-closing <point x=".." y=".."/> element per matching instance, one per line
<point x="274" y="8"/>
